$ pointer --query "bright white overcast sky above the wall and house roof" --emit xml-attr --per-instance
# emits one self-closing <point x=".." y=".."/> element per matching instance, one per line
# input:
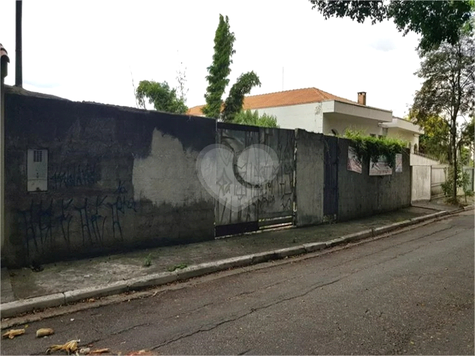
<point x="100" y="50"/>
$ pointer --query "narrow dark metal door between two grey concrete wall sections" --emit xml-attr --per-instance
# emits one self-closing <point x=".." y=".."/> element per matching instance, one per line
<point x="330" y="190"/>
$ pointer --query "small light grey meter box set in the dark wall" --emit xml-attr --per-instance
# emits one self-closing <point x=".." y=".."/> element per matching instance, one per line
<point x="37" y="170"/>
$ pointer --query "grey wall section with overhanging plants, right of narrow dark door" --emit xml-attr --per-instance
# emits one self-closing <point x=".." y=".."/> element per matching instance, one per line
<point x="363" y="195"/>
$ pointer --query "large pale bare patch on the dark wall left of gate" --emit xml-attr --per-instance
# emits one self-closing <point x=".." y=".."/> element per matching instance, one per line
<point x="168" y="174"/>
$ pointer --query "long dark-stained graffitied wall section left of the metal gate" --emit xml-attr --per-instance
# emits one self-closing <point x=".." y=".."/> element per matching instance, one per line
<point x="116" y="178"/>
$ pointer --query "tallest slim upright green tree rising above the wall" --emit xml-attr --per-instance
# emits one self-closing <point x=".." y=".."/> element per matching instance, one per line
<point x="220" y="68"/>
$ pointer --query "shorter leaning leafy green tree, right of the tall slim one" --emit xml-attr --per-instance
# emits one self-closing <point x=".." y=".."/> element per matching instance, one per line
<point x="233" y="104"/>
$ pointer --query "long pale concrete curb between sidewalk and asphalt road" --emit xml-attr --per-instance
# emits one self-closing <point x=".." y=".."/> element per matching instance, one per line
<point x="12" y="309"/>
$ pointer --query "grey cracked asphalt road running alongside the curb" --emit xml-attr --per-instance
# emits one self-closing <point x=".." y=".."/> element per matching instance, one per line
<point x="411" y="293"/>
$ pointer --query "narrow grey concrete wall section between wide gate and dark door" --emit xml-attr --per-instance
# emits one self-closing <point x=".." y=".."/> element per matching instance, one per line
<point x="309" y="178"/>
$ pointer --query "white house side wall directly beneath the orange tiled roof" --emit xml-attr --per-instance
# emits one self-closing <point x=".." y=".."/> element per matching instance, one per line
<point x="302" y="116"/>
